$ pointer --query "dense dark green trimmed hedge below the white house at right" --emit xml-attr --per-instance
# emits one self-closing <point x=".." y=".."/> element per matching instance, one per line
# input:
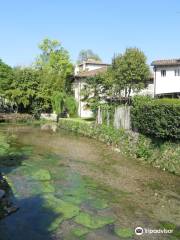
<point x="156" y="117"/>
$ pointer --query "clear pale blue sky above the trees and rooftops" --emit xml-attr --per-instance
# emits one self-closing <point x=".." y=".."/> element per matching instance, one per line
<point x="106" y="27"/>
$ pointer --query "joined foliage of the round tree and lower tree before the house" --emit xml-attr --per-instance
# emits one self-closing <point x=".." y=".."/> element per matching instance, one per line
<point x="129" y="71"/>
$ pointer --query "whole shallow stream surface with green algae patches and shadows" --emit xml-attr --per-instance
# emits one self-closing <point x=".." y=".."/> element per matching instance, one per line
<point x="69" y="187"/>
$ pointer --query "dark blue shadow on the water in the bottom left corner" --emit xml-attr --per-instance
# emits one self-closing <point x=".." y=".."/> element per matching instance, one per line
<point x="31" y="222"/>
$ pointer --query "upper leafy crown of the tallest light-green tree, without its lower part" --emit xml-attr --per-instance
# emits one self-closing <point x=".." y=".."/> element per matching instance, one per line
<point x="55" y="65"/>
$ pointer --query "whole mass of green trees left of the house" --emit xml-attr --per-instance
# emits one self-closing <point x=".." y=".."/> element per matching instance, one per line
<point x="43" y="86"/>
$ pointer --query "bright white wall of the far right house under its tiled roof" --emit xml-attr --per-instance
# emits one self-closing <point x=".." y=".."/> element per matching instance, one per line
<point x="168" y="84"/>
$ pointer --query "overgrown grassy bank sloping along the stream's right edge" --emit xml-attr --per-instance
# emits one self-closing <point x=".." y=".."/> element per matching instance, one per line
<point x="160" y="153"/>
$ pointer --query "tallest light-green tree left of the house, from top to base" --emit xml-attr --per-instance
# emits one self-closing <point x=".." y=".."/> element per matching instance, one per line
<point x="55" y="70"/>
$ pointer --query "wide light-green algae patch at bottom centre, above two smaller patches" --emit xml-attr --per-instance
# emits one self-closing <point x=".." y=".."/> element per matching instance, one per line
<point x="92" y="221"/>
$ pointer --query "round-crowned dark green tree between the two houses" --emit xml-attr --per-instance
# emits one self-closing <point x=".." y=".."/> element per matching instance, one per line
<point x="130" y="72"/>
